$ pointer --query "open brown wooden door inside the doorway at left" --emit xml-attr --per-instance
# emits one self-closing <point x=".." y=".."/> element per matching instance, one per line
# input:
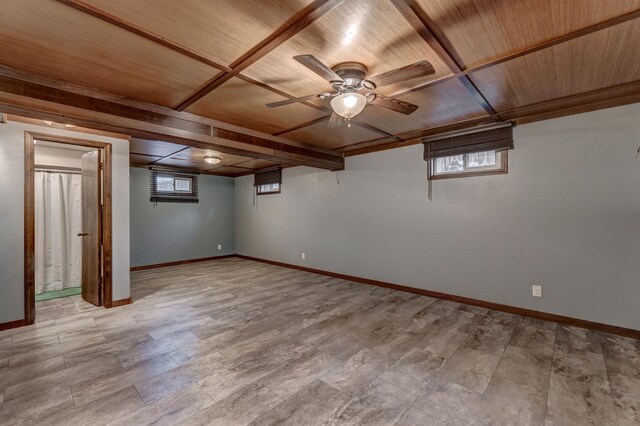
<point x="91" y="228"/>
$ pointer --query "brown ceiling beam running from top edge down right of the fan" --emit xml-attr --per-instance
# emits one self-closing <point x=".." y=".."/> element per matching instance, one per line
<point x="421" y="23"/>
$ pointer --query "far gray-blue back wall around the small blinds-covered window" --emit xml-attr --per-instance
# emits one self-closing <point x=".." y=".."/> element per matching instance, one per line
<point x="174" y="231"/>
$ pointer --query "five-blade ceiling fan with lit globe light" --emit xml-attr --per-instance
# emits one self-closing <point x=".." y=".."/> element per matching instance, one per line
<point x="348" y="79"/>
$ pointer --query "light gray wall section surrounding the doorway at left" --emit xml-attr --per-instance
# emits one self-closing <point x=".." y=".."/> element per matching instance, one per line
<point x="12" y="215"/>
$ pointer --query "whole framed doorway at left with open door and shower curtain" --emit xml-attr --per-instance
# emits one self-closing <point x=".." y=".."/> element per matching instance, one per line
<point x="67" y="224"/>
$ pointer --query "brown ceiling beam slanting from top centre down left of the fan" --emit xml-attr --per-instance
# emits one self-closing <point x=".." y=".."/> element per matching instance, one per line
<point x="290" y="28"/>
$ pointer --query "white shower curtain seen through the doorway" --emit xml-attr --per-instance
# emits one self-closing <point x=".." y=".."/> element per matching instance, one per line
<point x="58" y="220"/>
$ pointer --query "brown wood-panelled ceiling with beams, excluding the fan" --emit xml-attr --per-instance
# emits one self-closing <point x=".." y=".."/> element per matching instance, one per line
<point x="190" y="79"/>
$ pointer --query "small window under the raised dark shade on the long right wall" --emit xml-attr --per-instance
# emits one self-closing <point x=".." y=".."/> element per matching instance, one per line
<point x="472" y="164"/>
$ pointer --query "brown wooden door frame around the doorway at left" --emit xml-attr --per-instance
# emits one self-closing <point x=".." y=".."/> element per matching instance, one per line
<point x="29" y="217"/>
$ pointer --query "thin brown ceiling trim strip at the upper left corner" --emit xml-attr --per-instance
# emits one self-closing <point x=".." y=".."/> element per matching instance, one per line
<point x="114" y="20"/>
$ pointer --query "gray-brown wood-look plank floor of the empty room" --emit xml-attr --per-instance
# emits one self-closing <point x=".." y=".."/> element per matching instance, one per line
<point x="235" y="342"/>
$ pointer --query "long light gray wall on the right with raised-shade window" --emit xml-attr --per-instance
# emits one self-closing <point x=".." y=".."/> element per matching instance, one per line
<point x="567" y="216"/>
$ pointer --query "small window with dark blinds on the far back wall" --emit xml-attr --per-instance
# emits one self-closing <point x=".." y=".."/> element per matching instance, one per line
<point x="173" y="187"/>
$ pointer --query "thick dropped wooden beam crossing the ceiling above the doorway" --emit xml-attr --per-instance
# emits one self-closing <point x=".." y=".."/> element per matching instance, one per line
<point x="34" y="100"/>
